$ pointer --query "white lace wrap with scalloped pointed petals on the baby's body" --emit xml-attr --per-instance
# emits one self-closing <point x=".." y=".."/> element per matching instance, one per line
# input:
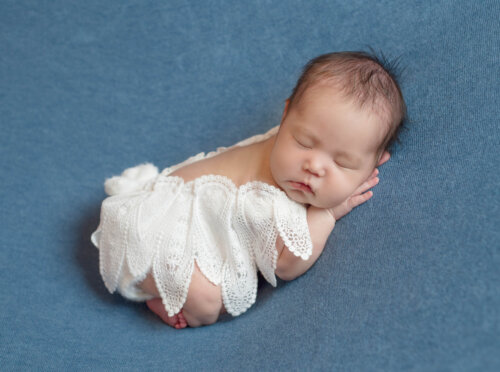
<point x="159" y="223"/>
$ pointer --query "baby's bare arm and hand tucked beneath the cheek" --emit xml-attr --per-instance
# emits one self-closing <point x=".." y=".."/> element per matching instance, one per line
<point x="321" y="223"/>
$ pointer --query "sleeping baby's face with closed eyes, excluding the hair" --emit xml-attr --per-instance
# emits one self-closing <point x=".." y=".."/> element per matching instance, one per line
<point x="325" y="149"/>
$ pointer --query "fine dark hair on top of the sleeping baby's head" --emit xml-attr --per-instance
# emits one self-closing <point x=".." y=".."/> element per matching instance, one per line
<point x="363" y="77"/>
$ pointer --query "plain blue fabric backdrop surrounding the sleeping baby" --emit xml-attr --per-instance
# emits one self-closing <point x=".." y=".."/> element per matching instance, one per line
<point x="408" y="281"/>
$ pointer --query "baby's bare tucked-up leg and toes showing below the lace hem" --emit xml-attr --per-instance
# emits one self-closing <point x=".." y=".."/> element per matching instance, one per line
<point x="202" y="307"/>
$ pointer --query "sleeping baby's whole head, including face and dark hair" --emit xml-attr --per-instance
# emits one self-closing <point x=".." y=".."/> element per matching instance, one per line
<point x="344" y="112"/>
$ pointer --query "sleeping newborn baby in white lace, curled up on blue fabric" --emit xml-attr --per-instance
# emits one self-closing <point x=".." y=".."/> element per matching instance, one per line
<point x="189" y="241"/>
